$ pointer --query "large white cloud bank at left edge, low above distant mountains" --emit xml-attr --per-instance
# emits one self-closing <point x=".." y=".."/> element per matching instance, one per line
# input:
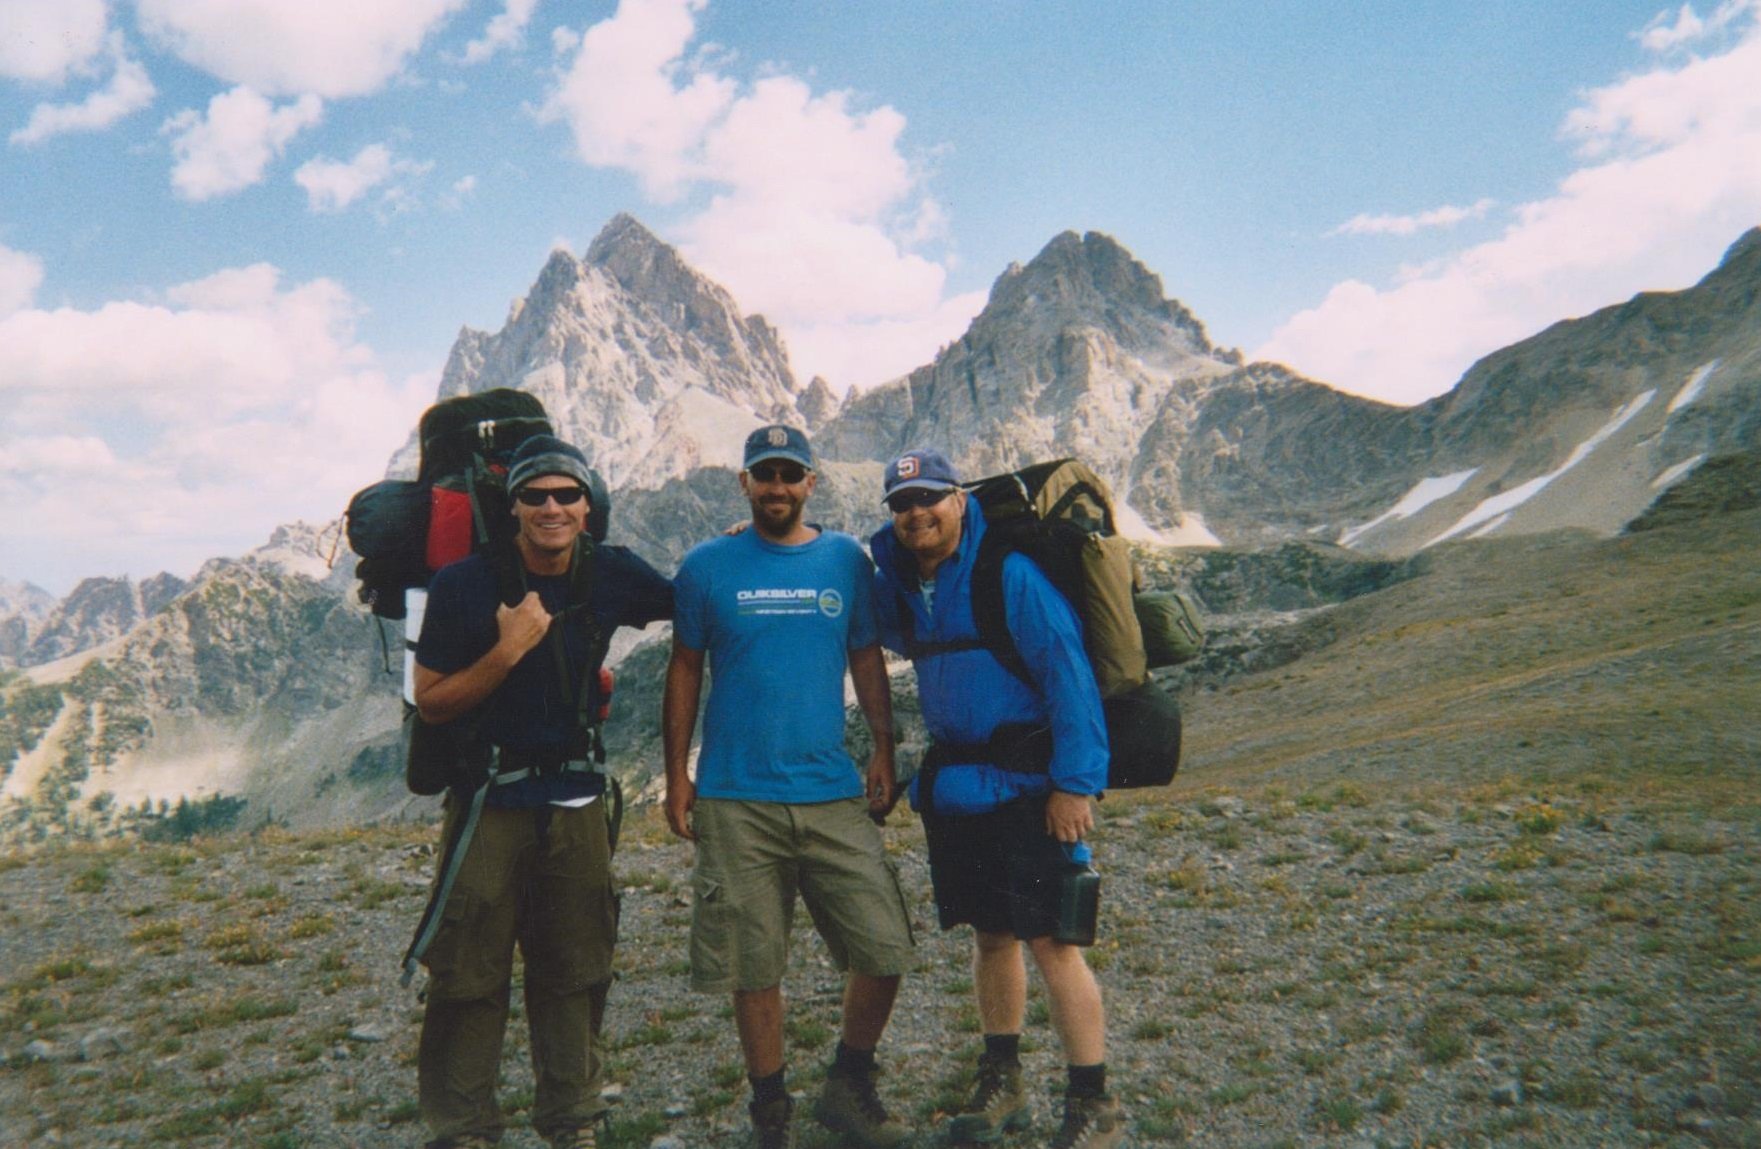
<point x="163" y="433"/>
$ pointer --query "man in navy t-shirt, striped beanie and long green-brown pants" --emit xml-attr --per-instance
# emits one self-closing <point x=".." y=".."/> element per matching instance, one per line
<point x="536" y="866"/>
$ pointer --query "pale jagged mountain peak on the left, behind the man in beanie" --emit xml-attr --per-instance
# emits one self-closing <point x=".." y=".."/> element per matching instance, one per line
<point x="640" y="360"/>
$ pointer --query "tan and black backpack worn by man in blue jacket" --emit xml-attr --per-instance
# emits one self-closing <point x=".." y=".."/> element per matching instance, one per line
<point x="1061" y="515"/>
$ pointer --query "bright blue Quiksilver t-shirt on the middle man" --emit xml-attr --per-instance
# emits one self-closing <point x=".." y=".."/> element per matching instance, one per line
<point x="779" y="625"/>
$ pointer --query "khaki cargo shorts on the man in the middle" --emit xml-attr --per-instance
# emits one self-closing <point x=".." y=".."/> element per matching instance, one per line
<point x="756" y="857"/>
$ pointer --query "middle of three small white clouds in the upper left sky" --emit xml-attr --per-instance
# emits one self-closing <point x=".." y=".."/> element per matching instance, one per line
<point x="230" y="149"/>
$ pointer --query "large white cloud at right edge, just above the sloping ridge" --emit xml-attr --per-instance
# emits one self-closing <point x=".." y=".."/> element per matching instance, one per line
<point x="1672" y="177"/>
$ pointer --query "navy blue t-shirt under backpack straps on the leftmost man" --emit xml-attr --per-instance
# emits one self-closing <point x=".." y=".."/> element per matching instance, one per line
<point x="533" y="711"/>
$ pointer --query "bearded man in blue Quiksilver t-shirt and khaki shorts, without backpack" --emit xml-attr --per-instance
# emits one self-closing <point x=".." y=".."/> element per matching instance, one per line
<point x="779" y="806"/>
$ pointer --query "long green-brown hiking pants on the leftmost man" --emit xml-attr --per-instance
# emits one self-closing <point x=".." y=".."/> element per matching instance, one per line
<point x="540" y="878"/>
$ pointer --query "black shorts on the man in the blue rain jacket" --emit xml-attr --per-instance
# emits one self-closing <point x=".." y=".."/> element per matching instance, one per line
<point x="998" y="871"/>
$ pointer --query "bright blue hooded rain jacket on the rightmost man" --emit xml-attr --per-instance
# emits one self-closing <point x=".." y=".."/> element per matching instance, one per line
<point x="968" y="695"/>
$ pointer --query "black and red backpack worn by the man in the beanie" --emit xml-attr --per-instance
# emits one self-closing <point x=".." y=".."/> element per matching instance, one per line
<point x="457" y="505"/>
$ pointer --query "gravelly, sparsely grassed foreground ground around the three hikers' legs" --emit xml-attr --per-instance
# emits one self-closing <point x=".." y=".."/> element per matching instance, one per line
<point x="1281" y="967"/>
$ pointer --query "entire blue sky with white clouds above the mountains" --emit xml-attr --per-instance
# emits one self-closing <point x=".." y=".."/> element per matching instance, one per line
<point x="239" y="237"/>
